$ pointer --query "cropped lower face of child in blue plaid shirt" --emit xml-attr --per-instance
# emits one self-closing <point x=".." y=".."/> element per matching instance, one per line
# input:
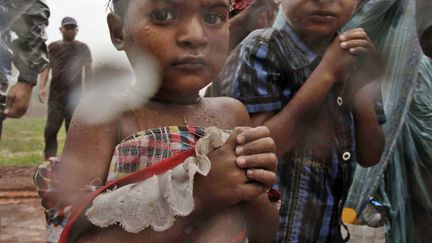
<point x="320" y="18"/>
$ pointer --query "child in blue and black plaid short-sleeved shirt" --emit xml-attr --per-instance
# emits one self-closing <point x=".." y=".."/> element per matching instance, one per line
<point x="300" y="80"/>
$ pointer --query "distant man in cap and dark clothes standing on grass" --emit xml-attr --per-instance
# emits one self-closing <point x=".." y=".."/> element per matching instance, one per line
<point x="67" y="60"/>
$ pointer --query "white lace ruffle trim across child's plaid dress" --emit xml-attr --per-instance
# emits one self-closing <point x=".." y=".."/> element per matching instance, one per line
<point x="156" y="201"/>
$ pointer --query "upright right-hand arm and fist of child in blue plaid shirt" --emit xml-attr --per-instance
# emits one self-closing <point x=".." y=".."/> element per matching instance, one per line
<point x="370" y="139"/>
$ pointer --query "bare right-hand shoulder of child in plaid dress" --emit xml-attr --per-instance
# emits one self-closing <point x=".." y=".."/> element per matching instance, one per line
<point x="231" y="110"/>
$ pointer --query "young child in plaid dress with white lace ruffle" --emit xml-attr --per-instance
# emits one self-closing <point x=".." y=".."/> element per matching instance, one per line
<point x="188" y="39"/>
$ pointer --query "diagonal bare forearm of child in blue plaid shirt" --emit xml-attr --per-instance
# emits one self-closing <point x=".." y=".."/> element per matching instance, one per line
<point x="286" y="125"/>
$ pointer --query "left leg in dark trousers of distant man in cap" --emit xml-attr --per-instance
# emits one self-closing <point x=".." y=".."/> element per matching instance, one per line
<point x="53" y="125"/>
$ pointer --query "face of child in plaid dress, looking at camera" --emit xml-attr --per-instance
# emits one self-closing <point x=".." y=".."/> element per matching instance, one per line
<point x="189" y="39"/>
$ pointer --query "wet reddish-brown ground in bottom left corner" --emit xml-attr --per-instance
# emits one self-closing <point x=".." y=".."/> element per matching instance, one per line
<point x="21" y="216"/>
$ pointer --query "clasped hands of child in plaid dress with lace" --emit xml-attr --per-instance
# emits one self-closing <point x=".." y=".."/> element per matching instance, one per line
<point x="227" y="184"/>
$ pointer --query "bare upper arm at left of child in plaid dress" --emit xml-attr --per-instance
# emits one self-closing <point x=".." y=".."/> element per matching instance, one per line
<point x="85" y="159"/>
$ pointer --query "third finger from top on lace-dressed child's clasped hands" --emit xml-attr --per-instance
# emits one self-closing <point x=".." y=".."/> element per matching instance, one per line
<point x="266" y="161"/>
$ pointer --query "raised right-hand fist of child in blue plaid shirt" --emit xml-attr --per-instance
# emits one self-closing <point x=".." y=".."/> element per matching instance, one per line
<point x="371" y="65"/>
